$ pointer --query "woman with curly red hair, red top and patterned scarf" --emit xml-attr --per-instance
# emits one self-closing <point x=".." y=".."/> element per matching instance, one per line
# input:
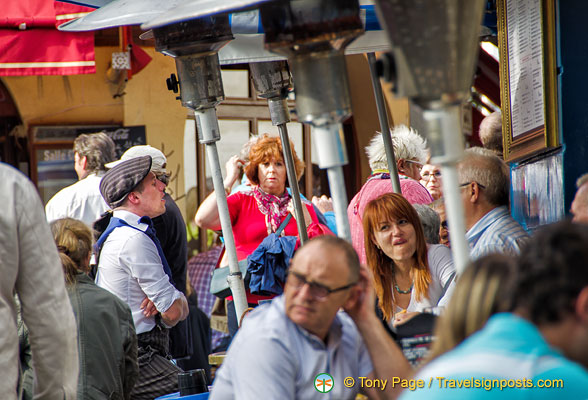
<point x="260" y="211"/>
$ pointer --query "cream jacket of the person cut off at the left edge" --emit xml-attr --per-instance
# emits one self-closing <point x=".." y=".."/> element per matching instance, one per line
<point x="30" y="266"/>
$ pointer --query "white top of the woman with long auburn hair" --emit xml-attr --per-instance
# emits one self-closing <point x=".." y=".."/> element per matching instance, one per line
<point x="442" y="280"/>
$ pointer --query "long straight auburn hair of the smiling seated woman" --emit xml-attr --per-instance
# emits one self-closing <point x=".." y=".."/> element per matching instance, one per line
<point x="392" y="207"/>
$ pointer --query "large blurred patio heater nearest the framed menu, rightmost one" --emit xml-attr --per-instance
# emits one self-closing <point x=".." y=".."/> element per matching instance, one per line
<point x="435" y="45"/>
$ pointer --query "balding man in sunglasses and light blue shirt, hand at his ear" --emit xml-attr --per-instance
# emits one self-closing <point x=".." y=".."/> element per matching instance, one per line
<point x="283" y="347"/>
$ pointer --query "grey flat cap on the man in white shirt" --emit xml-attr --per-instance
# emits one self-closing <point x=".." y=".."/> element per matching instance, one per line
<point x="117" y="183"/>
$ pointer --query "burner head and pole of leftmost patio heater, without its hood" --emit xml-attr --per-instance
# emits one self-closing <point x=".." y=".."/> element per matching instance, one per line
<point x="194" y="44"/>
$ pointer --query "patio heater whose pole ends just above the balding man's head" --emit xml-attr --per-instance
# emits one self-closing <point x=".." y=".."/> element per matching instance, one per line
<point x="313" y="36"/>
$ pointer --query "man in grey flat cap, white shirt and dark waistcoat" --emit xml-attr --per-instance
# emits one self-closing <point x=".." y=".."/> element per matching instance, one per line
<point x="131" y="265"/>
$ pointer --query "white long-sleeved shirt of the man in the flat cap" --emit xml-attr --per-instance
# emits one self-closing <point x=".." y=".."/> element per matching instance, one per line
<point x="130" y="267"/>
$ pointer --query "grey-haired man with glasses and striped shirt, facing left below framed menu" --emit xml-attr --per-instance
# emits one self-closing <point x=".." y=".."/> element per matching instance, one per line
<point x="485" y="190"/>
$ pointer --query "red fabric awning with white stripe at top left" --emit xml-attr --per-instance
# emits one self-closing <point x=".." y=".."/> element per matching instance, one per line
<point x="30" y="43"/>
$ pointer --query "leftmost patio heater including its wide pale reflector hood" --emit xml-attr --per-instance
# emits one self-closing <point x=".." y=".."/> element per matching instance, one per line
<point x="194" y="43"/>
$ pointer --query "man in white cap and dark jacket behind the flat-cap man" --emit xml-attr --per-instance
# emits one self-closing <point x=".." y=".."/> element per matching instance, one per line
<point x="170" y="229"/>
